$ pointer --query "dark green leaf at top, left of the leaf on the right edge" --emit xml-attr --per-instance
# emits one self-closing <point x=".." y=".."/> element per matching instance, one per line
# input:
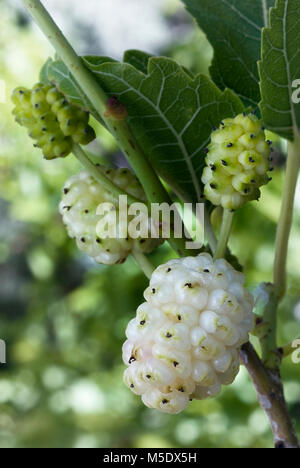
<point x="233" y="28"/>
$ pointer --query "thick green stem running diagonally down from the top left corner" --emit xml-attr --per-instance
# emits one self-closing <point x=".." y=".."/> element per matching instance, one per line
<point x="110" y="110"/>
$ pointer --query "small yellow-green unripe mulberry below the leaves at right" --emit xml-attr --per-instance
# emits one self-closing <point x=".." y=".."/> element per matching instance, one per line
<point x="238" y="159"/>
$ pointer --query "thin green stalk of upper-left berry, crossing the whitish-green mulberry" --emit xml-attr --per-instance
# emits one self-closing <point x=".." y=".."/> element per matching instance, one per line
<point x="97" y="173"/>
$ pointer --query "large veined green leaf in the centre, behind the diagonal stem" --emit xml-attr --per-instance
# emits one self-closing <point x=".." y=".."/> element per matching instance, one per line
<point x="170" y="114"/>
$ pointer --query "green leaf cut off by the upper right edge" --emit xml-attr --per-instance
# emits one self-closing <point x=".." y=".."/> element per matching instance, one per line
<point x="279" y="68"/>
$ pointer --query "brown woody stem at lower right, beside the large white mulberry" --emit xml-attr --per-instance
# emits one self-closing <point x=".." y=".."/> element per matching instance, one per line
<point x="271" y="398"/>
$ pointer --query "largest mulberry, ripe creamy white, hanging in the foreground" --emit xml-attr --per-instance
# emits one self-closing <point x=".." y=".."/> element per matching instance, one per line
<point x="184" y="342"/>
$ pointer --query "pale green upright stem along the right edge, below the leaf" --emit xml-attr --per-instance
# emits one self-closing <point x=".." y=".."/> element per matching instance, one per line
<point x="286" y="217"/>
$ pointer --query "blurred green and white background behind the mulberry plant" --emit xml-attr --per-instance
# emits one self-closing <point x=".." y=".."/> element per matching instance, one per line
<point x="63" y="317"/>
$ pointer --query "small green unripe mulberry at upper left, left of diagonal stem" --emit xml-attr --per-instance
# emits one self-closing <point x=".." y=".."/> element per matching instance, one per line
<point x="51" y="121"/>
